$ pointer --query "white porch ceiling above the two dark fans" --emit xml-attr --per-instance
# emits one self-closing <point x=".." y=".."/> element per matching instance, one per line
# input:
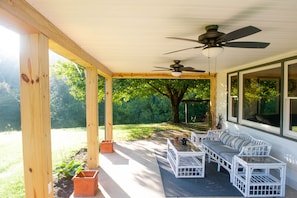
<point x="130" y="36"/>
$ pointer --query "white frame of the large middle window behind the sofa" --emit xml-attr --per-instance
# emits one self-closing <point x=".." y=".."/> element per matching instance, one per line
<point x="265" y="127"/>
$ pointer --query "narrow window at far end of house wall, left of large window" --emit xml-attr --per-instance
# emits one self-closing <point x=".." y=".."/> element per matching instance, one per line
<point x="233" y="97"/>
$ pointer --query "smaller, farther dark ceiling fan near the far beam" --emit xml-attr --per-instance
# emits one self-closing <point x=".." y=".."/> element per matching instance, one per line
<point x="177" y="68"/>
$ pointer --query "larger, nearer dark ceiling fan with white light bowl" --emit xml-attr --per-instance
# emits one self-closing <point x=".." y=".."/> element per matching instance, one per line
<point x="213" y="41"/>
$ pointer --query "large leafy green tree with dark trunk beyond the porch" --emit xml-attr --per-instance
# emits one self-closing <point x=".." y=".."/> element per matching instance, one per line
<point x="175" y="90"/>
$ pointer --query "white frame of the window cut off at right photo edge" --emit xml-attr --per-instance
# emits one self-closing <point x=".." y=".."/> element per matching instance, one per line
<point x="286" y="131"/>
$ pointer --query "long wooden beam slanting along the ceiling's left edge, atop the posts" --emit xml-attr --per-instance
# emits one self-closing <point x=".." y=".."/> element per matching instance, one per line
<point x="25" y="17"/>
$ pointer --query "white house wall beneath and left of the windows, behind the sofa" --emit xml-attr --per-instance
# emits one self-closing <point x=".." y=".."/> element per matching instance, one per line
<point x="282" y="148"/>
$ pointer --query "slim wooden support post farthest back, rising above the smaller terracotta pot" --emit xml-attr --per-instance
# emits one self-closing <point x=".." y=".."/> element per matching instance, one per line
<point x="108" y="108"/>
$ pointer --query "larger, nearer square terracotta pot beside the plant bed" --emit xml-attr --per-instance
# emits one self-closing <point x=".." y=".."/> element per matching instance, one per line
<point x="85" y="183"/>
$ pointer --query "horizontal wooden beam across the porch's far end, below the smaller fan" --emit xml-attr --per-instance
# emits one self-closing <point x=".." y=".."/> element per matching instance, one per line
<point x="163" y="75"/>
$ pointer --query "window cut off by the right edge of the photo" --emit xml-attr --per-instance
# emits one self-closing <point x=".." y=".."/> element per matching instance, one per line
<point x="290" y="95"/>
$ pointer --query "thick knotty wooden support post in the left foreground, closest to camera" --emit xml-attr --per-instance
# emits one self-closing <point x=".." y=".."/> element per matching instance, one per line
<point x="35" y="115"/>
